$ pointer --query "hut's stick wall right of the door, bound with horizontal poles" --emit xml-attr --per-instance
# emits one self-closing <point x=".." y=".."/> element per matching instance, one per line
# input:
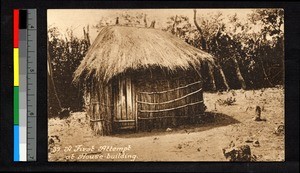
<point x="168" y="101"/>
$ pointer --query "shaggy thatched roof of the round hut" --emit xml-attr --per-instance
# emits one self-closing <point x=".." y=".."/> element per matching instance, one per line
<point x="118" y="49"/>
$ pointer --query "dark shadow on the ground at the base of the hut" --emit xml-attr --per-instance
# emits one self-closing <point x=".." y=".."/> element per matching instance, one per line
<point x="209" y="121"/>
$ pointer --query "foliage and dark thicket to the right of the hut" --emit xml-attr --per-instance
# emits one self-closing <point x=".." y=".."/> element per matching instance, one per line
<point x="255" y="45"/>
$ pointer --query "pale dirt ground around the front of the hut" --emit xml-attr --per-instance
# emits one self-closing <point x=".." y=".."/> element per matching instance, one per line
<point x="71" y="139"/>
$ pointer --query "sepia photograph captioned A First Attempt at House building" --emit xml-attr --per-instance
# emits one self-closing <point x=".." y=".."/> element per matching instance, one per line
<point x="156" y="85"/>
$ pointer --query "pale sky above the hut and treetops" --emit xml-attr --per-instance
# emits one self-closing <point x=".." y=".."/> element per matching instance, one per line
<point x="79" y="18"/>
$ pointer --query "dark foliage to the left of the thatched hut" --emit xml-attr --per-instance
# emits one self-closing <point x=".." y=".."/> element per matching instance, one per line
<point x="65" y="55"/>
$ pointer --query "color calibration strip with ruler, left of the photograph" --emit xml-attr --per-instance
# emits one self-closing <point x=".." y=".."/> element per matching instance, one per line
<point x="24" y="61"/>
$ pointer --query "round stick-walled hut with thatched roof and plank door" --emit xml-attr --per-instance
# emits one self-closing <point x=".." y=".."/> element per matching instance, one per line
<point x="141" y="78"/>
